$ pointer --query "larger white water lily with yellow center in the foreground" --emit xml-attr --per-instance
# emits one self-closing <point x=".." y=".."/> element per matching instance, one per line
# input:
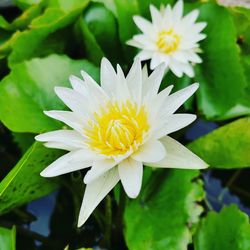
<point x="117" y="128"/>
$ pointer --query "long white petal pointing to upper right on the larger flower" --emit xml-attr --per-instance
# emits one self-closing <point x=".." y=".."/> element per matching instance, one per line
<point x="175" y="100"/>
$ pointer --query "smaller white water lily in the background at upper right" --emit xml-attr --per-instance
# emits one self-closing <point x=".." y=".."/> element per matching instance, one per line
<point x="170" y="39"/>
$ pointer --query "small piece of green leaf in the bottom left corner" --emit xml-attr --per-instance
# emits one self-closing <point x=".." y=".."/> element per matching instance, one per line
<point x="7" y="238"/>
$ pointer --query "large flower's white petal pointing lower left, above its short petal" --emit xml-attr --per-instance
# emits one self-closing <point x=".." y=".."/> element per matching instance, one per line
<point x="69" y="162"/>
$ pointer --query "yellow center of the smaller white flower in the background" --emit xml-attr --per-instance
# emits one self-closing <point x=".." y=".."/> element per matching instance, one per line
<point x="168" y="41"/>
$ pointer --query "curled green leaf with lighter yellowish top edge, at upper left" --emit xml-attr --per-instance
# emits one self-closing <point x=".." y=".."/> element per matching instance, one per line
<point x="44" y="35"/>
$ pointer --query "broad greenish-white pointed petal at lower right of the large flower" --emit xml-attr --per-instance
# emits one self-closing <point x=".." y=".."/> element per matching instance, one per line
<point x="178" y="156"/>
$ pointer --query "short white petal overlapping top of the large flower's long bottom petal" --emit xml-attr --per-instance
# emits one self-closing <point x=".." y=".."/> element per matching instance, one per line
<point x="98" y="169"/>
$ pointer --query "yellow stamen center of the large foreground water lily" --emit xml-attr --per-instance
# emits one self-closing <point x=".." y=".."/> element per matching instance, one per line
<point x="117" y="129"/>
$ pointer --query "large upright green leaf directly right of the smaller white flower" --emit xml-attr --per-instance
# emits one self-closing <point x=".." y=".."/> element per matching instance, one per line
<point x="221" y="75"/>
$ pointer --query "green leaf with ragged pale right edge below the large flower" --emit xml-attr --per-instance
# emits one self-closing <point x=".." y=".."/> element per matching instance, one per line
<point x="162" y="216"/>
